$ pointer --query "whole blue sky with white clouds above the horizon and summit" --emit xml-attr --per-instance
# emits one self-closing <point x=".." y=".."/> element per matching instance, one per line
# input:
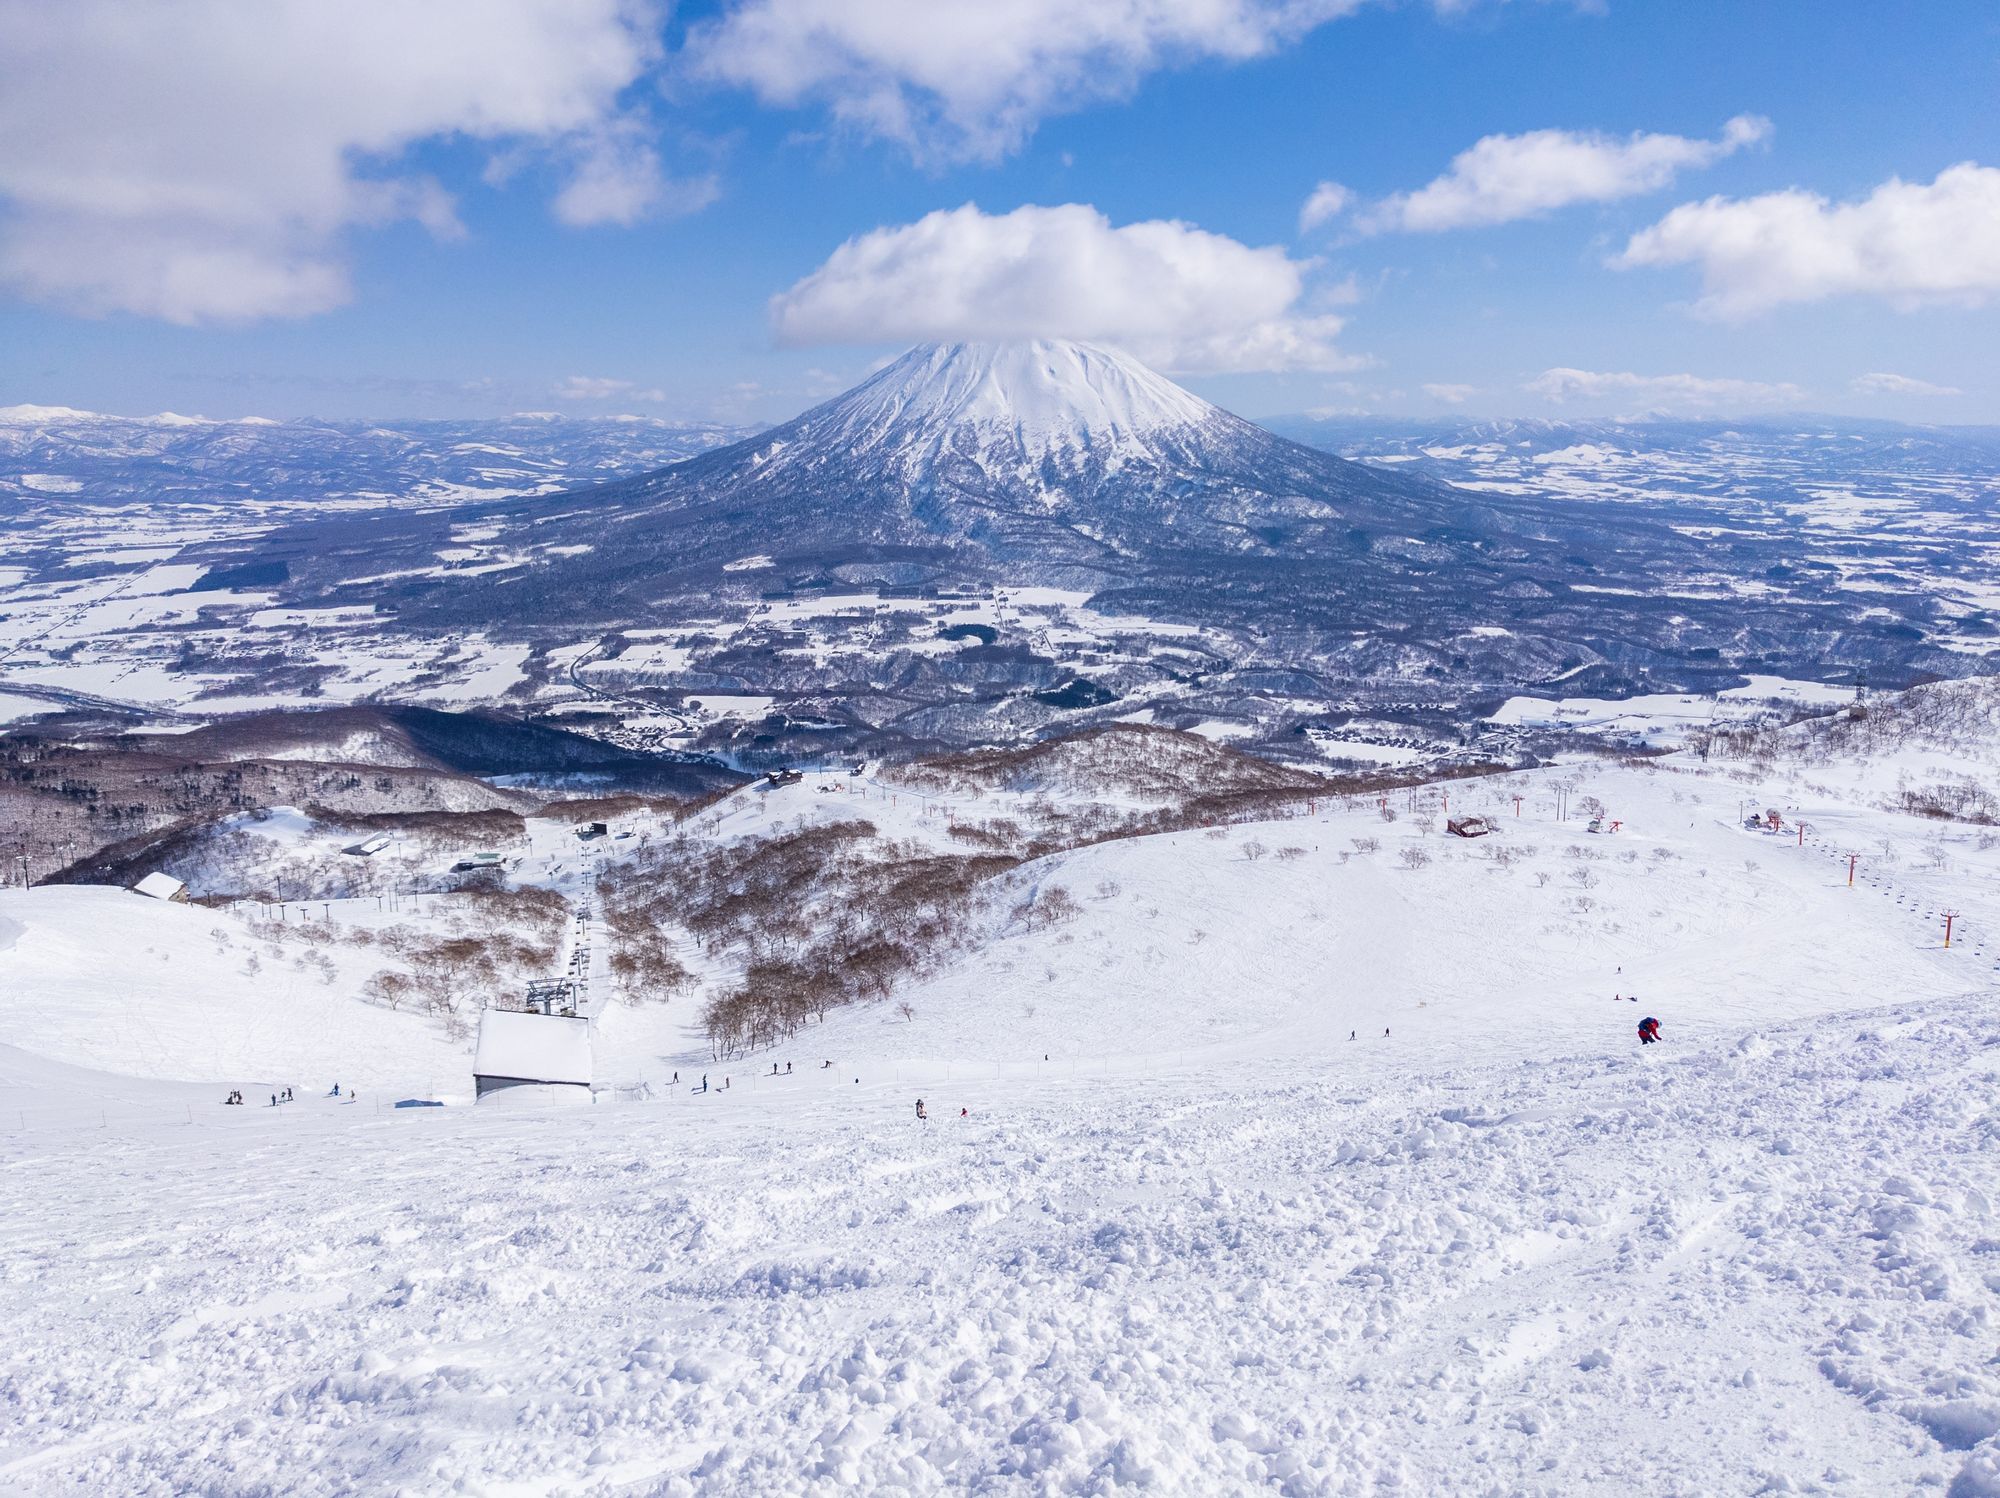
<point x="591" y="205"/>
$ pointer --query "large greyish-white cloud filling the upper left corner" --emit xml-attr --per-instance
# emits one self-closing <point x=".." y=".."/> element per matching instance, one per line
<point x="205" y="161"/>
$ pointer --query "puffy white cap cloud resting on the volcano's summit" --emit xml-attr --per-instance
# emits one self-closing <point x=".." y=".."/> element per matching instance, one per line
<point x="1173" y="295"/>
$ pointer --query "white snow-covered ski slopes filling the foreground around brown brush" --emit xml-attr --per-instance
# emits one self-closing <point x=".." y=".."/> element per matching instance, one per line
<point x="1167" y="1227"/>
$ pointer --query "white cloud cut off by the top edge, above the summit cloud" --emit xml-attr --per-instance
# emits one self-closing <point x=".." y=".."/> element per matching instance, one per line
<point x="971" y="79"/>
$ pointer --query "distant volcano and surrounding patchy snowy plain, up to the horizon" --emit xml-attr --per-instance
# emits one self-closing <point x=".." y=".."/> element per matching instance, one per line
<point x="1227" y="565"/>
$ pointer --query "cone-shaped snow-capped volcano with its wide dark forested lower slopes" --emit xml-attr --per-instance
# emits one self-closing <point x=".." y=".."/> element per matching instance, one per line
<point x="1065" y="465"/>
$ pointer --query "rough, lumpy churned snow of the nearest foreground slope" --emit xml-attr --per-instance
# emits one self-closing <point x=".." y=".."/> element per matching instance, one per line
<point x="1767" y="1267"/>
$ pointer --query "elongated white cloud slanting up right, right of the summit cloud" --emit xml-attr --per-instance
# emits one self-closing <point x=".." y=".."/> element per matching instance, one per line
<point x="1503" y="179"/>
